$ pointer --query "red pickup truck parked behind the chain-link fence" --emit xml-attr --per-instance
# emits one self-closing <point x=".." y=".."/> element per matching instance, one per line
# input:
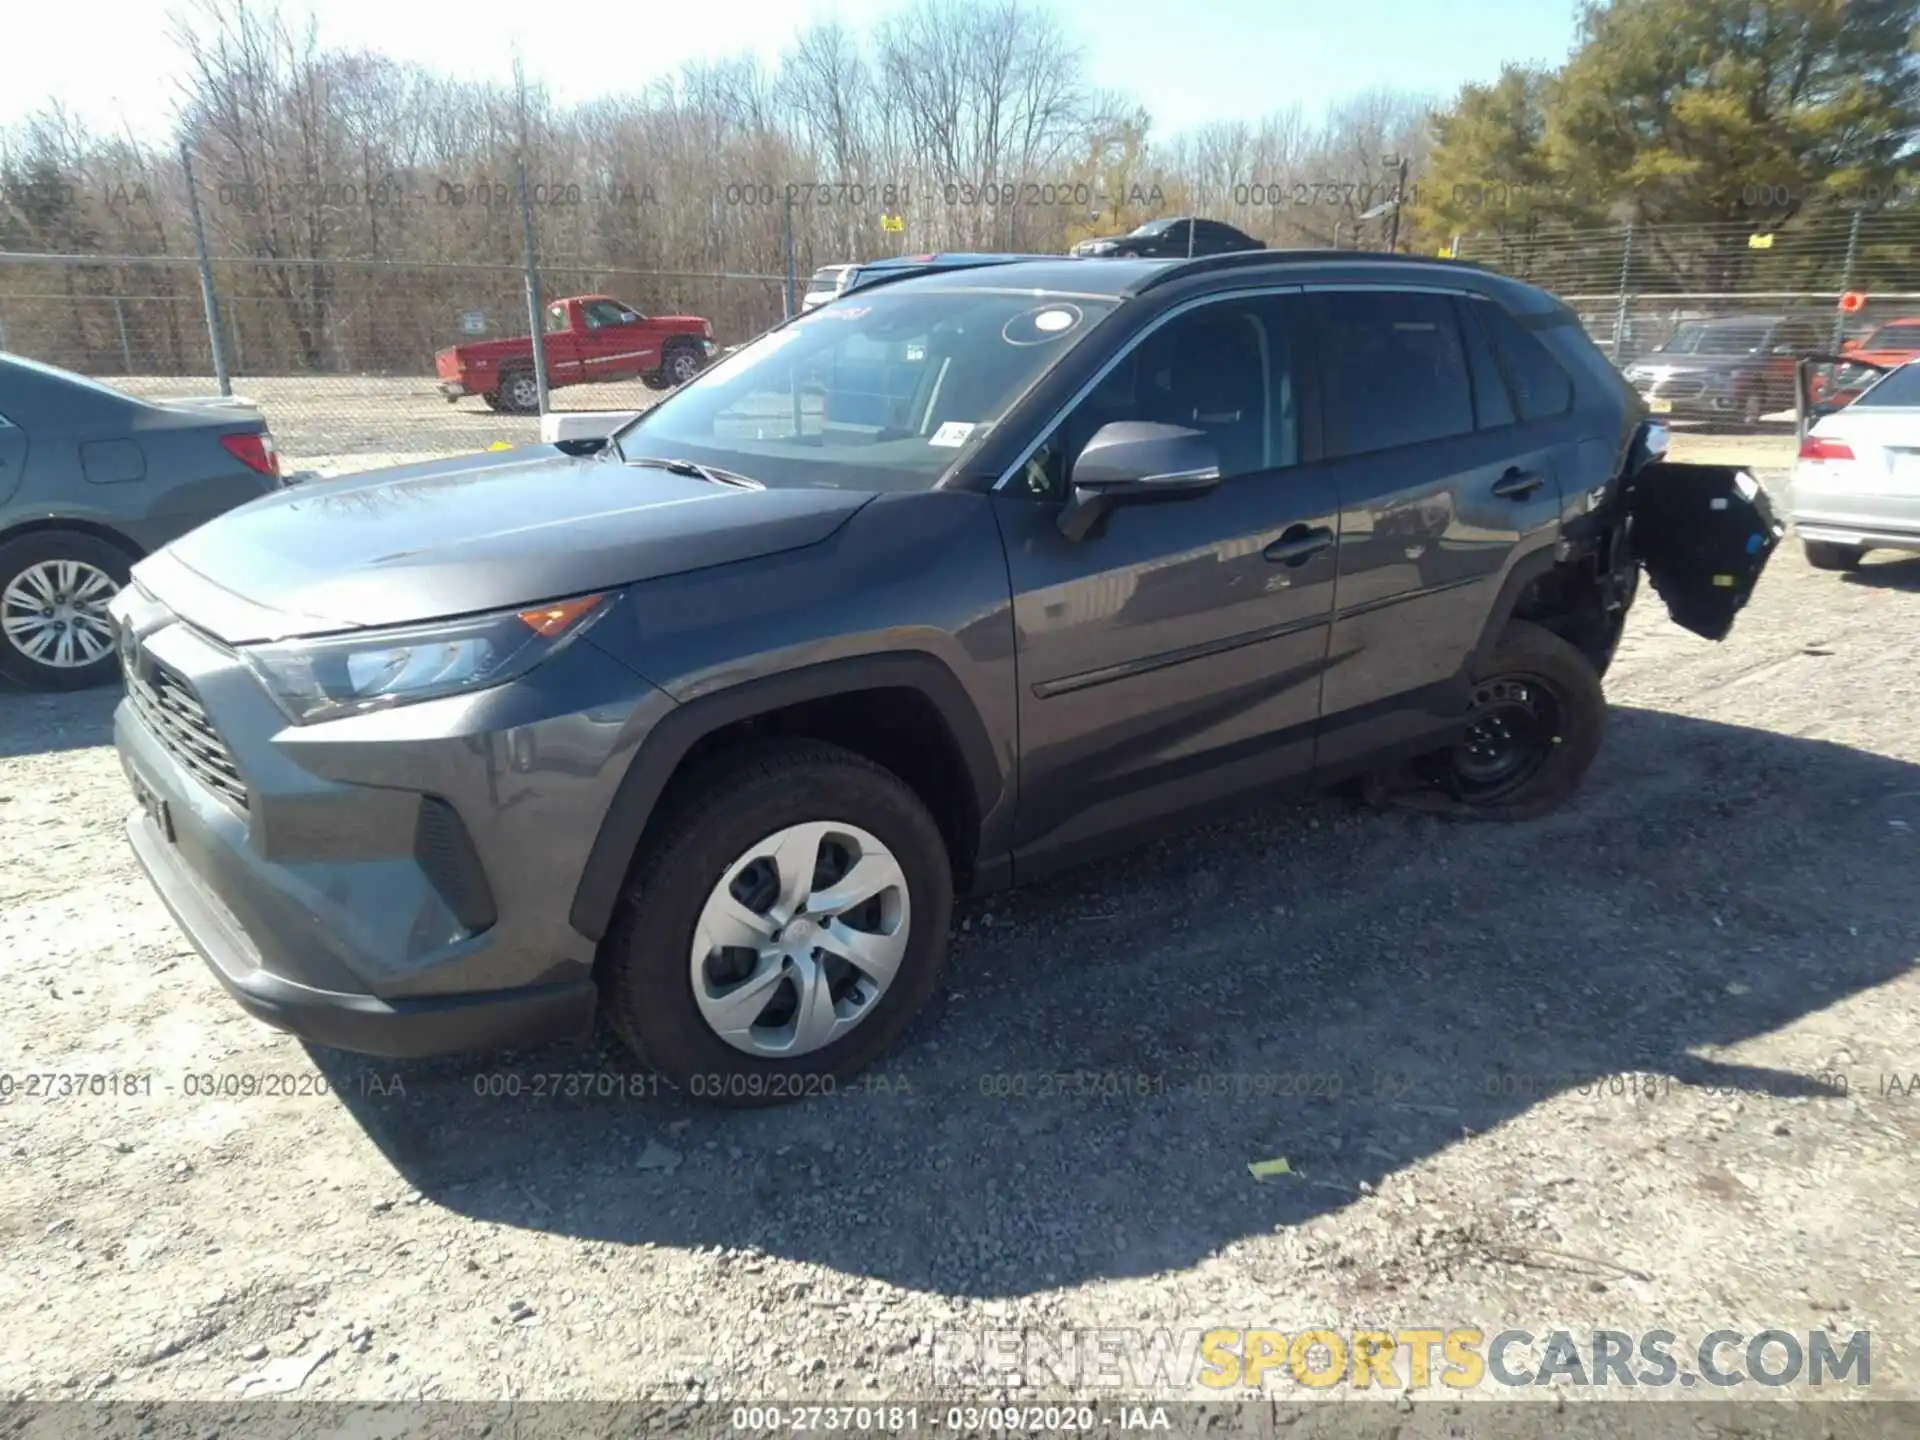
<point x="588" y="339"/>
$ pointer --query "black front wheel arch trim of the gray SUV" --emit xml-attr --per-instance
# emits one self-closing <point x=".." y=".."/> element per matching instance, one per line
<point x="959" y="763"/>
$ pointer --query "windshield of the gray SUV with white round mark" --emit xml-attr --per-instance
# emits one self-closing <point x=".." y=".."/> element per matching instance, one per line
<point x="867" y="393"/>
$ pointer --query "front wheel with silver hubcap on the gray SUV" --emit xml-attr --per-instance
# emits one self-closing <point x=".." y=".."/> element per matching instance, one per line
<point x="782" y="928"/>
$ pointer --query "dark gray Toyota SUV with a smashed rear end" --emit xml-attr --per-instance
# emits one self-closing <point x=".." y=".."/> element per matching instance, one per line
<point x="936" y="588"/>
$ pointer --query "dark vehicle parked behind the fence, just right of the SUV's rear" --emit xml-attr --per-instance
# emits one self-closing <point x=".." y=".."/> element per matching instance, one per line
<point x="1739" y="368"/>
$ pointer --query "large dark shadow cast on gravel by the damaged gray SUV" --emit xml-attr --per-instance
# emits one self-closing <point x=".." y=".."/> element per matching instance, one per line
<point x="1347" y="990"/>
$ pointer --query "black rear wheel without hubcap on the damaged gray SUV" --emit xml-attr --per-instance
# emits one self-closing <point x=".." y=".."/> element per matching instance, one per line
<point x="1537" y="727"/>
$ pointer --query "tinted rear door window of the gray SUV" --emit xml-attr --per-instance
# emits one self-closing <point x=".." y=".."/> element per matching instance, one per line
<point x="1395" y="368"/>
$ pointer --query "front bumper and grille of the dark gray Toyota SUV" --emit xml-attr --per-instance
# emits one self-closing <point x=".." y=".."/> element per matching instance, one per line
<point x="395" y="882"/>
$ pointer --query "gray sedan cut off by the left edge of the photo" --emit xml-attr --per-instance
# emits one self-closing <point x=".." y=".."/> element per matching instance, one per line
<point x="91" y="481"/>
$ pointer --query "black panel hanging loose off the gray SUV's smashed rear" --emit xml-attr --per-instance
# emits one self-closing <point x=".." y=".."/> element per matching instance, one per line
<point x="1704" y="535"/>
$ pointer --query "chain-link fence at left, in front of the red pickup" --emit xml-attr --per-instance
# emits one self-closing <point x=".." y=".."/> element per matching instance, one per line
<point x="339" y="356"/>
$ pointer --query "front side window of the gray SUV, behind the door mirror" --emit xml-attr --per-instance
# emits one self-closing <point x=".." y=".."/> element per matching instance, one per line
<point x="1224" y="370"/>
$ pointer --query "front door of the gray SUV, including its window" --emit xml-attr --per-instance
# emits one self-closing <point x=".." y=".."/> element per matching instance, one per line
<point x="1174" y="656"/>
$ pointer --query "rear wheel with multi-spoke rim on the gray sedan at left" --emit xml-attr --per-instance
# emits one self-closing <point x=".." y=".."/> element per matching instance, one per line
<point x="55" y="627"/>
